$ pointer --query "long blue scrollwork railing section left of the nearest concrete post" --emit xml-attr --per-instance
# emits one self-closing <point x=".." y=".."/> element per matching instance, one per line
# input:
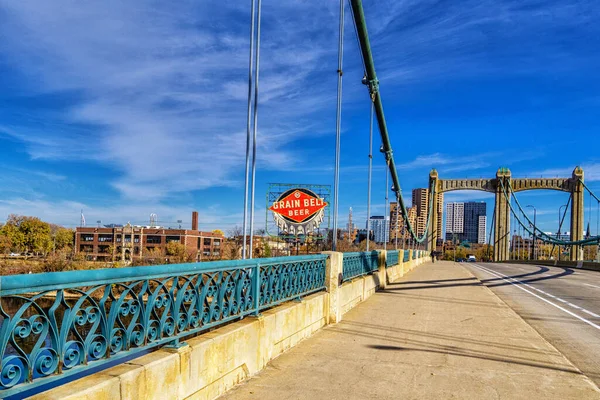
<point x="60" y="324"/>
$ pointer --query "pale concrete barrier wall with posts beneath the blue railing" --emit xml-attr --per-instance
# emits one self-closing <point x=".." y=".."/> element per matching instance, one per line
<point x="210" y="364"/>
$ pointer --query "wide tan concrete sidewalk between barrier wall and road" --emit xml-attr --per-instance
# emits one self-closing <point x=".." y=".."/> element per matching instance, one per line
<point x="427" y="336"/>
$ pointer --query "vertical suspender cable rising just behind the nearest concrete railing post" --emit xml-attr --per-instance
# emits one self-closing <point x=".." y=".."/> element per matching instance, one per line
<point x="336" y="174"/>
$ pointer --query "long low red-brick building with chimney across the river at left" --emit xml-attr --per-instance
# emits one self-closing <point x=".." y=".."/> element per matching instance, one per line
<point x="135" y="242"/>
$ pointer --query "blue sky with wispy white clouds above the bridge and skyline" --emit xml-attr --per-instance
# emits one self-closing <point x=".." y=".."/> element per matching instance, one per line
<point x="127" y="108"/>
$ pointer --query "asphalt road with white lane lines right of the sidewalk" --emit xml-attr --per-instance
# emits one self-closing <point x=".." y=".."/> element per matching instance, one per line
<point x="562" y="304"/>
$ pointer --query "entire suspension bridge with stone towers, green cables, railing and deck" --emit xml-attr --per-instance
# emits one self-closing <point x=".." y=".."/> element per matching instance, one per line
<point x="386" y="324"/>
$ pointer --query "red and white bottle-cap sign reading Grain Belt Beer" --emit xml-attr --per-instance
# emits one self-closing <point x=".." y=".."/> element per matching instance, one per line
<point x="298" y="211"/>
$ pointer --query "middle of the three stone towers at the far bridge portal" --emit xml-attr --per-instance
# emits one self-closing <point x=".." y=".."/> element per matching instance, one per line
<point x="502" y="216"/>
